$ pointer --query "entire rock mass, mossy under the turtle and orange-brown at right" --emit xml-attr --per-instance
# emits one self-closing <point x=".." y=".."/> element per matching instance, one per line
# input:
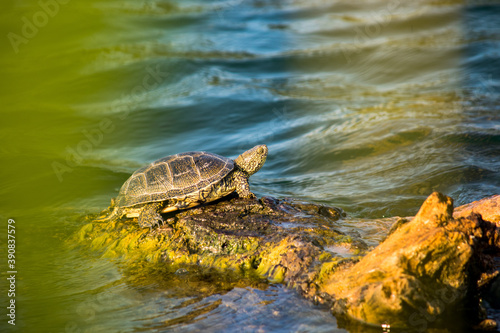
<point x="429" y="267"/>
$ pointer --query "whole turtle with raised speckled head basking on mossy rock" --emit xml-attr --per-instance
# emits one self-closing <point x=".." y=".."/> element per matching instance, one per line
<point x="184" y="181"/>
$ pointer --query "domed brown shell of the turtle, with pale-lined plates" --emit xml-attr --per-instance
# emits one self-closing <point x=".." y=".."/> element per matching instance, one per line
<point x="173" y="177"/>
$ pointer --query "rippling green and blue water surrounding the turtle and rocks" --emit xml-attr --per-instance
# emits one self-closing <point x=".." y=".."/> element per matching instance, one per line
<point x="366" y="106"/>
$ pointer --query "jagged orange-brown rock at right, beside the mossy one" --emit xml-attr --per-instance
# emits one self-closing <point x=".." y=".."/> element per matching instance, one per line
<point x="427" y="268"/>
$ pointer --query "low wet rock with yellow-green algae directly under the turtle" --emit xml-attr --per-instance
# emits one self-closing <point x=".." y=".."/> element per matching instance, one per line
<point x="280" y="240"/>
